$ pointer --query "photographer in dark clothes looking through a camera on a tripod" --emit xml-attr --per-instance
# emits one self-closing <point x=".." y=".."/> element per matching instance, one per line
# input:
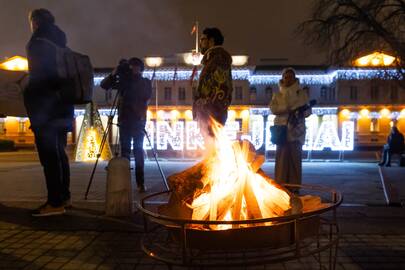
<point x="134" y="94"/>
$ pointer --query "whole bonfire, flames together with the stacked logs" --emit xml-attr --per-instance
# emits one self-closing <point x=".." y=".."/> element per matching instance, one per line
<point x="229" y="184"/>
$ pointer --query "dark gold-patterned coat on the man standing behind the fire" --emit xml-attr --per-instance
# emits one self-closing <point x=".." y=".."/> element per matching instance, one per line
<point x="214" y="92"/>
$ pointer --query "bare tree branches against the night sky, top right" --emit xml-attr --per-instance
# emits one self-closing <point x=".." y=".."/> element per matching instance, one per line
<point x="351" y="28"/>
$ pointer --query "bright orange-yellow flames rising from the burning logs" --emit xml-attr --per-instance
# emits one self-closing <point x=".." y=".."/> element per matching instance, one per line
<point x="233" y="187"/>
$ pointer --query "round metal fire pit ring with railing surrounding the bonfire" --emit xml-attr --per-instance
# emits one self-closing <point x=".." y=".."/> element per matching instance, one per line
<point x="173" y="241"/>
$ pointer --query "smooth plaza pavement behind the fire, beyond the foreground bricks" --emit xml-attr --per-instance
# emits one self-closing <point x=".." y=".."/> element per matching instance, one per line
<point x="359" y="182"/>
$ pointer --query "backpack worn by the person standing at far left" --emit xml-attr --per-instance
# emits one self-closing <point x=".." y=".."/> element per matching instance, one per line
<point x="76" y="74"/>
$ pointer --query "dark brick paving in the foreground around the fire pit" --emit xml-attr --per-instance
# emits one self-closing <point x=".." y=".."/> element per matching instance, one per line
<point x="85" y="239"/>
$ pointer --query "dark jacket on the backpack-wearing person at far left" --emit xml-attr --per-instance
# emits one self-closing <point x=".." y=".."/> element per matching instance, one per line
<point x="41" y="98"/>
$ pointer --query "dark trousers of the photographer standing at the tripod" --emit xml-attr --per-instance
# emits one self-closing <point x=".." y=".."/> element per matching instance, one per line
<point x="134" y="132"/>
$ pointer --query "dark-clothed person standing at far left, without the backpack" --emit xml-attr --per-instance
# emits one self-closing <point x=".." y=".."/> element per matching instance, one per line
<point x="51" y="118"/>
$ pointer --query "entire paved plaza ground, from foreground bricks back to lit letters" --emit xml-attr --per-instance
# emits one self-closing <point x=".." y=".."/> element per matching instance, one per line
<point x="373" y="233"/>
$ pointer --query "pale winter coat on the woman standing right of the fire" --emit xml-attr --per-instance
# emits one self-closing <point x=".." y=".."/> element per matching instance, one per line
<point x="284" y="105"/>
